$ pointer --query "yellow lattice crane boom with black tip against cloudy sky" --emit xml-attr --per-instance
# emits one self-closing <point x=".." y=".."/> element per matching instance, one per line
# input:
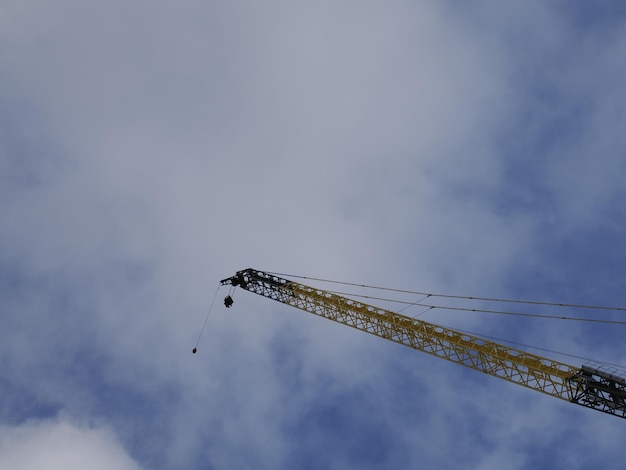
<point x="592" y="386"/>
